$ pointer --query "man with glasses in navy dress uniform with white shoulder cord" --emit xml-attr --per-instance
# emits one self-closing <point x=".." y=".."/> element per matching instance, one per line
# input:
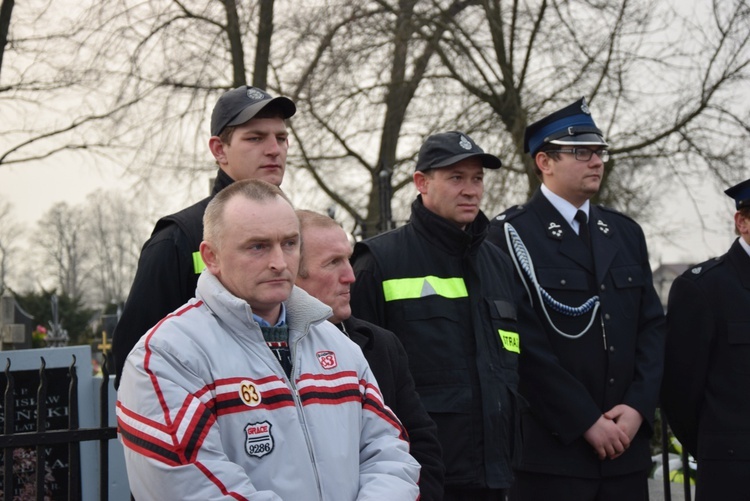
<point x="592" y="377"/>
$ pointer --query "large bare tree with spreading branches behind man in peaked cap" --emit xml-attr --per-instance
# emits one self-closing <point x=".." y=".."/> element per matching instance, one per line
<point x="669" y="91"/>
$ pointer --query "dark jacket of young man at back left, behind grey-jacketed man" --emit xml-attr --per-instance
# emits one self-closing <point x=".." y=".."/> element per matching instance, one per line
<point x="167" y="274"/>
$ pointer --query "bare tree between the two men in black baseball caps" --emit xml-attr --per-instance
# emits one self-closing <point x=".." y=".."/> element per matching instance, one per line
<point x="368" y="63"/>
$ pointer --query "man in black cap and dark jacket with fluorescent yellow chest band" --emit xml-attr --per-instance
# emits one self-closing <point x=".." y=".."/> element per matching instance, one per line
<point x="452" y="300"/>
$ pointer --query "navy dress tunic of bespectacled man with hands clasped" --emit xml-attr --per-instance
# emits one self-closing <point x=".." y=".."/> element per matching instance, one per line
<point x="570" y="383"/>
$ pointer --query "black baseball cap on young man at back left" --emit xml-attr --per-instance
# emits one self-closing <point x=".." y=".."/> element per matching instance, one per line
<point x="237" y="106"/>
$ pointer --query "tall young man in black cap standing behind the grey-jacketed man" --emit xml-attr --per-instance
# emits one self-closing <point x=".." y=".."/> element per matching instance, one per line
<point x="249" y="140"/>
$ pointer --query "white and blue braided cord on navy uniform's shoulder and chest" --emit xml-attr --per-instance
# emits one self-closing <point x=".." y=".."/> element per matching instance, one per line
<point x="525" y="267"/>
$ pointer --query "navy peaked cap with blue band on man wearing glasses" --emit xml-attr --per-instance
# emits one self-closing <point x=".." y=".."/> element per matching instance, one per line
<point x="571" y="125"/>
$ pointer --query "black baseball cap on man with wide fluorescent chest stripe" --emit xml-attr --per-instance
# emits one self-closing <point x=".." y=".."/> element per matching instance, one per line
<point x="448" y="148"/>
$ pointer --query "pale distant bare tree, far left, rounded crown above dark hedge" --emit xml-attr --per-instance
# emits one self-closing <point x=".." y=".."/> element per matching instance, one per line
<point x="61" y="240"/>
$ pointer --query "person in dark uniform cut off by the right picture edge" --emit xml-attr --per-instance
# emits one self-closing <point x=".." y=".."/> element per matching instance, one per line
<point x="706" y="389"/>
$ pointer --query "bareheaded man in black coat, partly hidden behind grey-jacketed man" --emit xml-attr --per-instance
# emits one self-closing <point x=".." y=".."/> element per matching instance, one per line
<point x="326" y="274"/>
